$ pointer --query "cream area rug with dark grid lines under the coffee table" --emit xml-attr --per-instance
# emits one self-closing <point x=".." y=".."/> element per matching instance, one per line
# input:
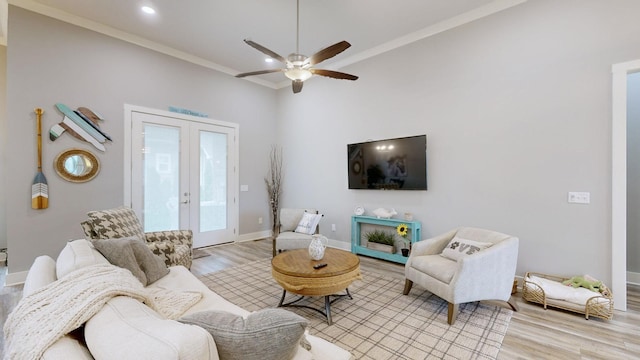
<point x="379" y="323"/>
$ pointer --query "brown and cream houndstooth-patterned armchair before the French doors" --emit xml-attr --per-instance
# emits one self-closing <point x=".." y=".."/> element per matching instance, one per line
<point x="174" y="246"/>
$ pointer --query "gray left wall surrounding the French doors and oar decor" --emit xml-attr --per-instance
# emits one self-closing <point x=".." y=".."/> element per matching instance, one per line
<point x="51" y="61"/>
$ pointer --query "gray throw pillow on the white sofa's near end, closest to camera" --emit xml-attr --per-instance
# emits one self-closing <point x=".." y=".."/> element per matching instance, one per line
<point x="269" y="334"/>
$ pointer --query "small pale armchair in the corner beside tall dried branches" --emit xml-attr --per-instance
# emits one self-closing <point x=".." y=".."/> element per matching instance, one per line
<point x="288" y="235"/>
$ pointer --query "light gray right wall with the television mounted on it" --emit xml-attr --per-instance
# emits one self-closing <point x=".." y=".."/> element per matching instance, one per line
<point x="517" y="112"/>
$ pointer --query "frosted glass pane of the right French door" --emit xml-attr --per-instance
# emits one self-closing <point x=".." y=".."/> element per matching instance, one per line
<point x="213" y="181"/>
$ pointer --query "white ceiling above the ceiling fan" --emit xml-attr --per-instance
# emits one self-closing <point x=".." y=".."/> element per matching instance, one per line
<point x="211" y="32"/>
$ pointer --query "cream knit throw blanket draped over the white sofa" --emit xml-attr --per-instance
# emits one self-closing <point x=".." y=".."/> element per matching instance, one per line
<point x="52" y="311"/>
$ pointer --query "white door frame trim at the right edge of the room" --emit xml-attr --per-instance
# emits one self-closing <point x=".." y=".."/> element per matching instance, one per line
<point x="619" y="181"/>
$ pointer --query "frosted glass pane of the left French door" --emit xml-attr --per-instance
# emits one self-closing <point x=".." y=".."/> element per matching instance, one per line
<point x="161" y="161"/>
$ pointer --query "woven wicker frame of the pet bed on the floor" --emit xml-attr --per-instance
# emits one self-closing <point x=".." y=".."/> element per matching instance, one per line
<point x="599" y="306"/>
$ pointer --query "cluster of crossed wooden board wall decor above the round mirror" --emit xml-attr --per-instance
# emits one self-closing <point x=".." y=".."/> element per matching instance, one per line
<point x="82" y="124"/>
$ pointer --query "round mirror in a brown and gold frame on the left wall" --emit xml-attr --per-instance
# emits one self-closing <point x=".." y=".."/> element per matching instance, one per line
<point x="76" y="165"/>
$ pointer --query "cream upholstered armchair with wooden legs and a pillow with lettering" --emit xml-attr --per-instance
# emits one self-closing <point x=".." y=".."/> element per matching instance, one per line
<point x="478" y="265"/>
